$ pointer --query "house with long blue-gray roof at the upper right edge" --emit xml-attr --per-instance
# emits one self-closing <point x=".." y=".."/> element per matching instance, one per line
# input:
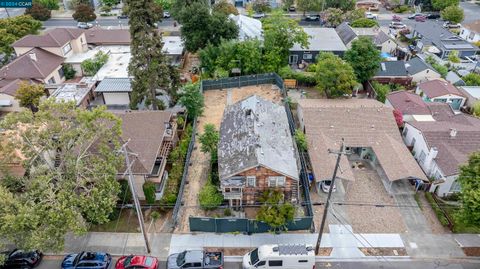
<point x="432" y="37"/>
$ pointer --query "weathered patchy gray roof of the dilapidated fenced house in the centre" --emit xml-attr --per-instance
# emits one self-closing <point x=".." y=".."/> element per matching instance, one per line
<point x="255" y="132"/>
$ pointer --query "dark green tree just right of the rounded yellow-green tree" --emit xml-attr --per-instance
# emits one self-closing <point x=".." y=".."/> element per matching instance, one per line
<point x="364" y="57"/>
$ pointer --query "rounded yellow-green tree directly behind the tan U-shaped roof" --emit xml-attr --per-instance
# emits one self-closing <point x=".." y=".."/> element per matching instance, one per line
<point x="334" y="76"/>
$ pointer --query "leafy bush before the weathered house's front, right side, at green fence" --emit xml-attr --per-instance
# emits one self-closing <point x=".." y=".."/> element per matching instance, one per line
<point x="274" y="211"/>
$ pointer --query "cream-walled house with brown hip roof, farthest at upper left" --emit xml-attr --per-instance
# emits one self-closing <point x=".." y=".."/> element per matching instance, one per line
<point x="59" y="41"/>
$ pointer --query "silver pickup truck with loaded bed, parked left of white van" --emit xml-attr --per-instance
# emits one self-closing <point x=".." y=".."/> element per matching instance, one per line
<point x="195" y="259"/>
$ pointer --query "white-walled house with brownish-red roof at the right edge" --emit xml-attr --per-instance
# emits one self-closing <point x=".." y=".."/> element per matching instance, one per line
<point x="441" y="146"/>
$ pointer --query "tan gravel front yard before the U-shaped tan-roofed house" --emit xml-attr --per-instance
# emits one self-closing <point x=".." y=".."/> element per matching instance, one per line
<point x="368" y="188"/>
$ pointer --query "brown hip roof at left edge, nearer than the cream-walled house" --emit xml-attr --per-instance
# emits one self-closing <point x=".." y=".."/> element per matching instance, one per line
<point x="34" y="64"/>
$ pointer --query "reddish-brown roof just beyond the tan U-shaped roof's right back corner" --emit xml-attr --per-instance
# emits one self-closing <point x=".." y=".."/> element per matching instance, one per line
<point x="408" y="103"/>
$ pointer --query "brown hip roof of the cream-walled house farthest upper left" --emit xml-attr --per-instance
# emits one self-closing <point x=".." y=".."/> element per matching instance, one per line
<point x="56" y="37"/>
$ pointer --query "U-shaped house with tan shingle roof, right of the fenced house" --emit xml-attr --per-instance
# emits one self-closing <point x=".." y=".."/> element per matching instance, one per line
<point x="370" y="132"/>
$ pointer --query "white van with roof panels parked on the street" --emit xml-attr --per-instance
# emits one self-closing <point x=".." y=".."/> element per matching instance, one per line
<point x="299" y="256"/>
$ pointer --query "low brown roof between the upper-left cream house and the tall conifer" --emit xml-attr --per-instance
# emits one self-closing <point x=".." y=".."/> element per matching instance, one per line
<point x="107" y="37"/>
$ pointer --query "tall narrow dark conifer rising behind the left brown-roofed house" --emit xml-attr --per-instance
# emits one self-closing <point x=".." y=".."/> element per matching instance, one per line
<point x="149" y="67"/>
